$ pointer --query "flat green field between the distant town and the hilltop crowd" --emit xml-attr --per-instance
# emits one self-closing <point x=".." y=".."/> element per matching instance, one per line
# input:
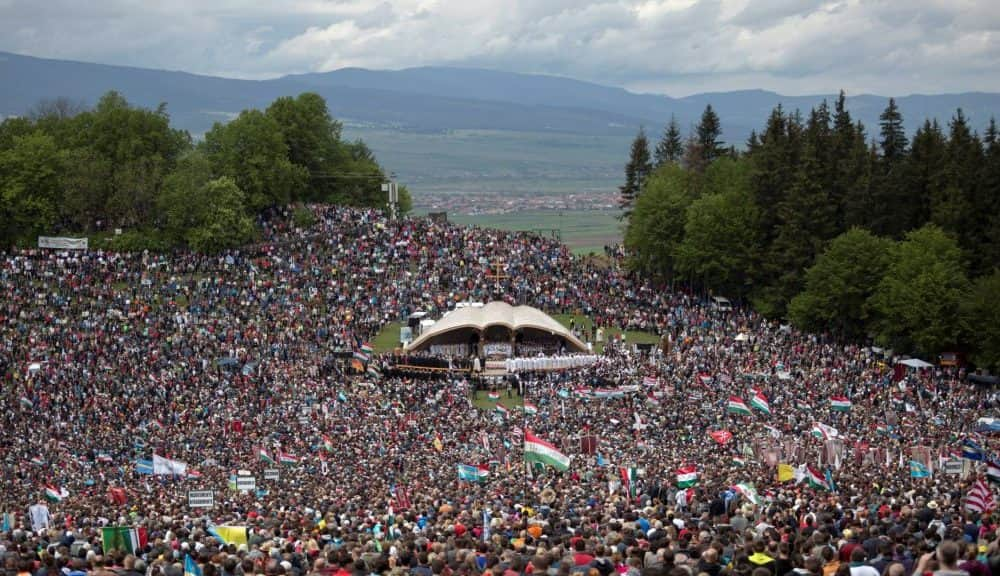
<point x="584" y="231"/>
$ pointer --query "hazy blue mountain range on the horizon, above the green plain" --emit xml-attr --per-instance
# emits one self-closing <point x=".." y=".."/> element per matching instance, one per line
<point x="439" y="99"/>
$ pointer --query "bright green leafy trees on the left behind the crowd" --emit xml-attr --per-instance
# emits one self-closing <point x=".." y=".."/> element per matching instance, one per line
<point x="65" y="169"/>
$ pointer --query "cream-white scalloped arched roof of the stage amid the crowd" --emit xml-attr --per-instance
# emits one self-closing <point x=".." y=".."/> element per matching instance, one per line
<point x="497" y="314"/>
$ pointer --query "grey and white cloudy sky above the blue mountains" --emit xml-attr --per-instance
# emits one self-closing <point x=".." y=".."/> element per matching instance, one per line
<point x="677" y="47"/>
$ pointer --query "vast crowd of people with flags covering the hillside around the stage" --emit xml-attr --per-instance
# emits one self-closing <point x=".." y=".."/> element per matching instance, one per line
<point x="247" y="361"/>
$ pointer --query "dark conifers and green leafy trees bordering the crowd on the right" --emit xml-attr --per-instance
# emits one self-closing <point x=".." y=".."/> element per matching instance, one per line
<point x="881" y="237"/>
